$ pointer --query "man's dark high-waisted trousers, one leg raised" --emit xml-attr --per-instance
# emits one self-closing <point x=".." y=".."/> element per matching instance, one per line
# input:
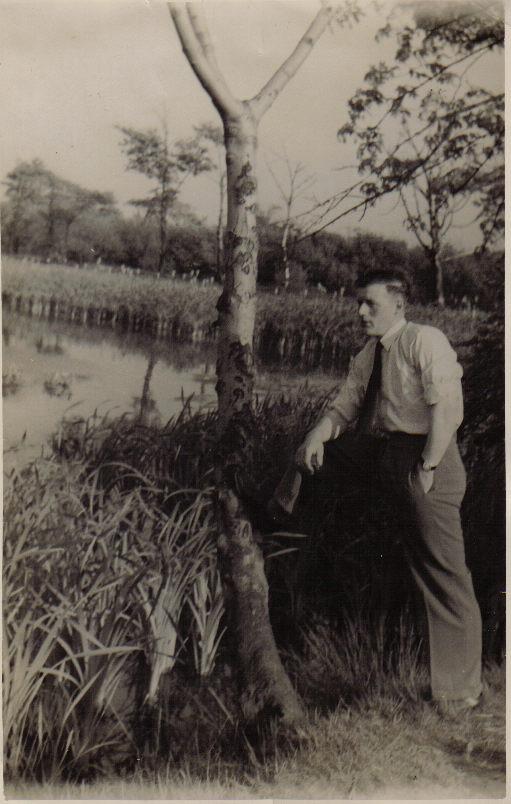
<point x="433" y="542"/>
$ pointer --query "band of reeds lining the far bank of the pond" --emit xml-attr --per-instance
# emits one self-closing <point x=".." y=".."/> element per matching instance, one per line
<point x="301" y="331"/>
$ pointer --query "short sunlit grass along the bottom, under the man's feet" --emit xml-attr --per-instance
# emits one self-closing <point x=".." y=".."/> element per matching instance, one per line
<point x="381" y="746"/>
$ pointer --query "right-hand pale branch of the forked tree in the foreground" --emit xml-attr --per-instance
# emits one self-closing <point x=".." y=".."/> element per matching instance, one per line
<point x="261" y="102"/>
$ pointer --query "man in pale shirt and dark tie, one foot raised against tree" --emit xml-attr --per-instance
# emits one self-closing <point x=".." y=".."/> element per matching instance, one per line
<point x="403" y="392"/>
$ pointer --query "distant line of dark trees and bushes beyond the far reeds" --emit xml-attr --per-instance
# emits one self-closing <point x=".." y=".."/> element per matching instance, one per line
<point x="57" y="221"/>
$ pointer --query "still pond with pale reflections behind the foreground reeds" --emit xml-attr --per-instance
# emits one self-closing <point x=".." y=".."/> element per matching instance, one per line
<point x="53" y="370"/>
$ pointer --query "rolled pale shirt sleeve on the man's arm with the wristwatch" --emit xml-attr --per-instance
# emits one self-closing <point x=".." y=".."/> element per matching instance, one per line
<point x="438" y="365"/>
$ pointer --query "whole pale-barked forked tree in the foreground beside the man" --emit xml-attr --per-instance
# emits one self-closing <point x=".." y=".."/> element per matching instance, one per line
<point x="266" y="685"/>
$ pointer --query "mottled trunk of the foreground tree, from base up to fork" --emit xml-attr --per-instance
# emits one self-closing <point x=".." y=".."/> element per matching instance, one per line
<point x="266" y="685"/>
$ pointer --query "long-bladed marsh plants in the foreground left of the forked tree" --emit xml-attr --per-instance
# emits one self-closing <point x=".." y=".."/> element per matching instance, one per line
<point x="92" y="580"/>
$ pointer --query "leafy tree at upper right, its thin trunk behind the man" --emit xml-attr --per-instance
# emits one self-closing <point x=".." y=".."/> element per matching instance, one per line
<point x="425" y="130"/>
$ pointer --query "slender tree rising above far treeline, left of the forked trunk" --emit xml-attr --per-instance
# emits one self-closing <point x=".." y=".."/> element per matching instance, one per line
<point x="168" y="165"/>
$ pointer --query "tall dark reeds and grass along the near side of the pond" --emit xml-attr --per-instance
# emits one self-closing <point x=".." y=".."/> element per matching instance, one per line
<point x="113" y="608"/>
